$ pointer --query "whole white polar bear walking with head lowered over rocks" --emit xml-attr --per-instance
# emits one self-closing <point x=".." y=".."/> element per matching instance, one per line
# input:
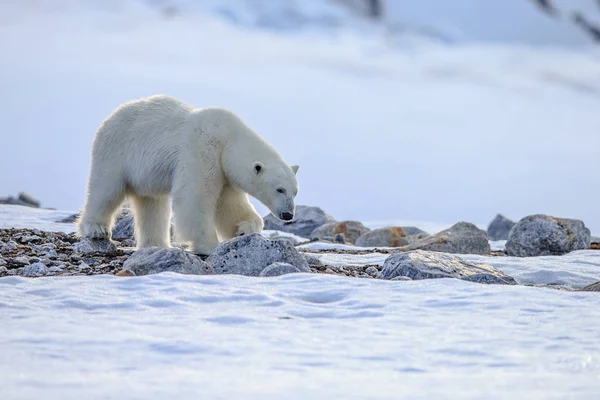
<point x="162" y="153"/>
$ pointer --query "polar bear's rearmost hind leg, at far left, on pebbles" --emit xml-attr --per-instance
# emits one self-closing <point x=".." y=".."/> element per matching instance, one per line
<point x="95" y="222"/>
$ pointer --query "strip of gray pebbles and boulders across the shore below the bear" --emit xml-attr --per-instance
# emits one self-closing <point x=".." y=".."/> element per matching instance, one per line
<point x="413" y="253"/>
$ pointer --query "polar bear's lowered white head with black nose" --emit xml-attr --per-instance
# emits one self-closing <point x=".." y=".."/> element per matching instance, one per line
<point x="275" y="185"/>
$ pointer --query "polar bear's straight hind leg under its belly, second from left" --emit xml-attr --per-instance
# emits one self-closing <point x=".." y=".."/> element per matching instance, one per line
<point x="152" y="221"/>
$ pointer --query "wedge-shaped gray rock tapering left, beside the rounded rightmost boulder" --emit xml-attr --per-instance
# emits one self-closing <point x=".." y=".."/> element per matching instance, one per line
<point x="460" y="238"/>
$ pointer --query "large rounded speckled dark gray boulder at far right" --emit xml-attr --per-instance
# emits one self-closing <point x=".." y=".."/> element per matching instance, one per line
<point x="542" y="235"/>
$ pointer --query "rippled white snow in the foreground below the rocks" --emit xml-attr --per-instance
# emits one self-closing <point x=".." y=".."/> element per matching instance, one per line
<point x="294" y="337"/>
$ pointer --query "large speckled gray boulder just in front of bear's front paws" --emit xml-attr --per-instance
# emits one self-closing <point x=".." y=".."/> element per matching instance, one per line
<point x="250" y="254"/>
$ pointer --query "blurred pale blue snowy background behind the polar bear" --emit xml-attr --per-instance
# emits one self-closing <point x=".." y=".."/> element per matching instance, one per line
<point x="397" y="110"/>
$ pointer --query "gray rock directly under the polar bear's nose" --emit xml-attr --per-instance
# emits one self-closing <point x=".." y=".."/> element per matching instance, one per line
<point x="306" y="220"/>
